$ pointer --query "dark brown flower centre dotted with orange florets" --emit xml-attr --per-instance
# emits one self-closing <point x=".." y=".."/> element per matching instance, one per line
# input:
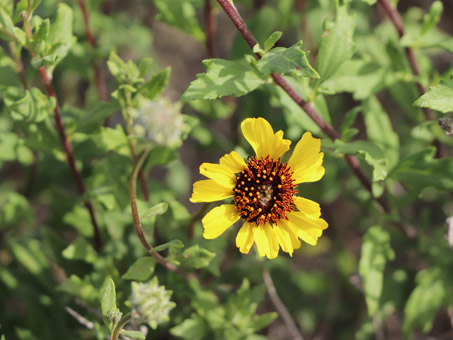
<point x="264" y="191"/>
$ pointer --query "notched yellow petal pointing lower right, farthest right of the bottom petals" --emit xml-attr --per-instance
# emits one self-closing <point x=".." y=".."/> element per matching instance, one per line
<point x="309" y="230"/>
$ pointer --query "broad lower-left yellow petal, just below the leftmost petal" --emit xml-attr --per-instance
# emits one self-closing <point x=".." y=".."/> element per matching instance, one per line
<point x="218" y="220"/>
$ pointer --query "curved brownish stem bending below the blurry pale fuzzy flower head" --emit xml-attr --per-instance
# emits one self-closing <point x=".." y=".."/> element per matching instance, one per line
<point x="138" y="225"/>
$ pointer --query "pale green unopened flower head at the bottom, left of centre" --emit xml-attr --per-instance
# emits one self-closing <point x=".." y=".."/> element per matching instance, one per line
<point x="151" y="302"/>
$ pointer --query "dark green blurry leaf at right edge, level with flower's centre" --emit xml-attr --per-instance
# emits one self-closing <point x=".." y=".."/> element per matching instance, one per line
<point x="421" y="170"/>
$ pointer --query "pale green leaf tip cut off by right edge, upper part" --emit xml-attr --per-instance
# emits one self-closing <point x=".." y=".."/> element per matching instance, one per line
<point x="438" y="98"/>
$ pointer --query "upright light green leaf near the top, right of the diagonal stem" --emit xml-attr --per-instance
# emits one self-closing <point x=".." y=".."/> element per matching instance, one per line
<point x="337" y="44"/>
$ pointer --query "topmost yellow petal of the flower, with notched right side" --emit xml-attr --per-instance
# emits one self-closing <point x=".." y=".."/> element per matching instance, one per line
<point x="261" y="137"/>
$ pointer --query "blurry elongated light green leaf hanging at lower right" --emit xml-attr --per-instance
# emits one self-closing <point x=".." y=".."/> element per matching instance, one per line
<point x="376" y="251"/>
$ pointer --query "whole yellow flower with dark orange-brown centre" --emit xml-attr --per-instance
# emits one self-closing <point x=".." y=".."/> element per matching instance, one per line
<point x="264" y="192"/>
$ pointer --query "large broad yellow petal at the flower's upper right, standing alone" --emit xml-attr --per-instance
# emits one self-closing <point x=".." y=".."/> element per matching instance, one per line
<point x="306" y="160"/>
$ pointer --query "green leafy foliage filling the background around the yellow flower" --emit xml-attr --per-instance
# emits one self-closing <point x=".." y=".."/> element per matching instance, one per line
<point x="70" y="255"/>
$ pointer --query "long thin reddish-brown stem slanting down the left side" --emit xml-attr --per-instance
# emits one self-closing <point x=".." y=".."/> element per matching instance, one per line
<point x="70" y="156"/>
